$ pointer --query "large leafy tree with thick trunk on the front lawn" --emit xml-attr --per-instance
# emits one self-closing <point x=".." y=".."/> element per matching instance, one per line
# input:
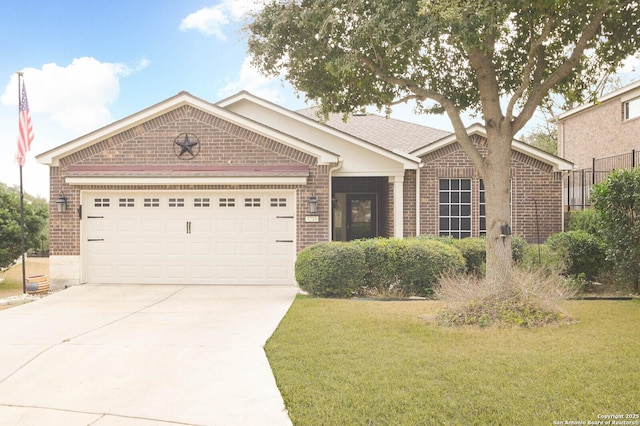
<point x="500" y="59"/>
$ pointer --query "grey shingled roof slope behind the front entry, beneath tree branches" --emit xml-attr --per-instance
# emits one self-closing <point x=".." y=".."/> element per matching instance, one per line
<point x="386" y="132"/>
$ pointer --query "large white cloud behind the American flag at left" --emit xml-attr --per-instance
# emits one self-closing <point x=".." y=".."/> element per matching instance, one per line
<point x="65" y="102"/>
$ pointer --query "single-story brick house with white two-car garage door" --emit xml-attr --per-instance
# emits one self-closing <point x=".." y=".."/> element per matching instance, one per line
<point x="192" y="192"/>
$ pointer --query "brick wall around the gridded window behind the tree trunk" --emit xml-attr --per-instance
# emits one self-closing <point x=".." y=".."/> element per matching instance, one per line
<point x="530" y="180"/>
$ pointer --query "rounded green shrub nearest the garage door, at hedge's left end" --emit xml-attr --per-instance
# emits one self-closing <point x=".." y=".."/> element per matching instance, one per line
<point x="332" y="269"/>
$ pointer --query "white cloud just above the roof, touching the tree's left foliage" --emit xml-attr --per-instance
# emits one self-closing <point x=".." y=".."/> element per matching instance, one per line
<point x="251" y="80"/>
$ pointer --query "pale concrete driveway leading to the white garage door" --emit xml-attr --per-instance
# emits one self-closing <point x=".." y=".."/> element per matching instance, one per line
<point x="142" y="355"/>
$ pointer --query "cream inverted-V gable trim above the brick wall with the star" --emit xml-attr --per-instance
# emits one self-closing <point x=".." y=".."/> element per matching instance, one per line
<point x="53" y="156"/>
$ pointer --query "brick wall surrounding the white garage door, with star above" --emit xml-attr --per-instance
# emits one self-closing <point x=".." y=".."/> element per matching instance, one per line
<point x="221" y="144"/>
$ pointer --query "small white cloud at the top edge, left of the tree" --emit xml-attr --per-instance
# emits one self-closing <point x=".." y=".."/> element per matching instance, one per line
<point x="212" y="20"/>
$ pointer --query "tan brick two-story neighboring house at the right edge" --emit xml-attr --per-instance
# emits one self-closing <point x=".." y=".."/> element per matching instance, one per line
<point x="606" y="128"/>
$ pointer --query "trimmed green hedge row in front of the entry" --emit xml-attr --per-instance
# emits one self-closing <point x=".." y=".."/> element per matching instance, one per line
<point x="380" y="265"/>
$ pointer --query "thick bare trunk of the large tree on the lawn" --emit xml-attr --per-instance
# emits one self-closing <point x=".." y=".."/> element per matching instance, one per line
<point x="497" y="183"/>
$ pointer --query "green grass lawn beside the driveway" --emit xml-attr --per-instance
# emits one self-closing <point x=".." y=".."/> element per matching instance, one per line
<point x="347" y="362"/>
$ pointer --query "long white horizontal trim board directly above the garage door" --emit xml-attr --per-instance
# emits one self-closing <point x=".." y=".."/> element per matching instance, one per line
<point x="199" y="180"/>
